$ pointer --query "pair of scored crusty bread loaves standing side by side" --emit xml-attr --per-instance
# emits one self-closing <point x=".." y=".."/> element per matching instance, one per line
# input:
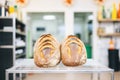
<point x="49" y="52"/>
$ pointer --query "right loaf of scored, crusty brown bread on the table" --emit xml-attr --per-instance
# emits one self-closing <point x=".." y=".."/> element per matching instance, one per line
<point x="73" y="51"/>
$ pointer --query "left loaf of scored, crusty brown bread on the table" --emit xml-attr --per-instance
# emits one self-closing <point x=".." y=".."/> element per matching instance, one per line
<point x="46" y="51"/>
